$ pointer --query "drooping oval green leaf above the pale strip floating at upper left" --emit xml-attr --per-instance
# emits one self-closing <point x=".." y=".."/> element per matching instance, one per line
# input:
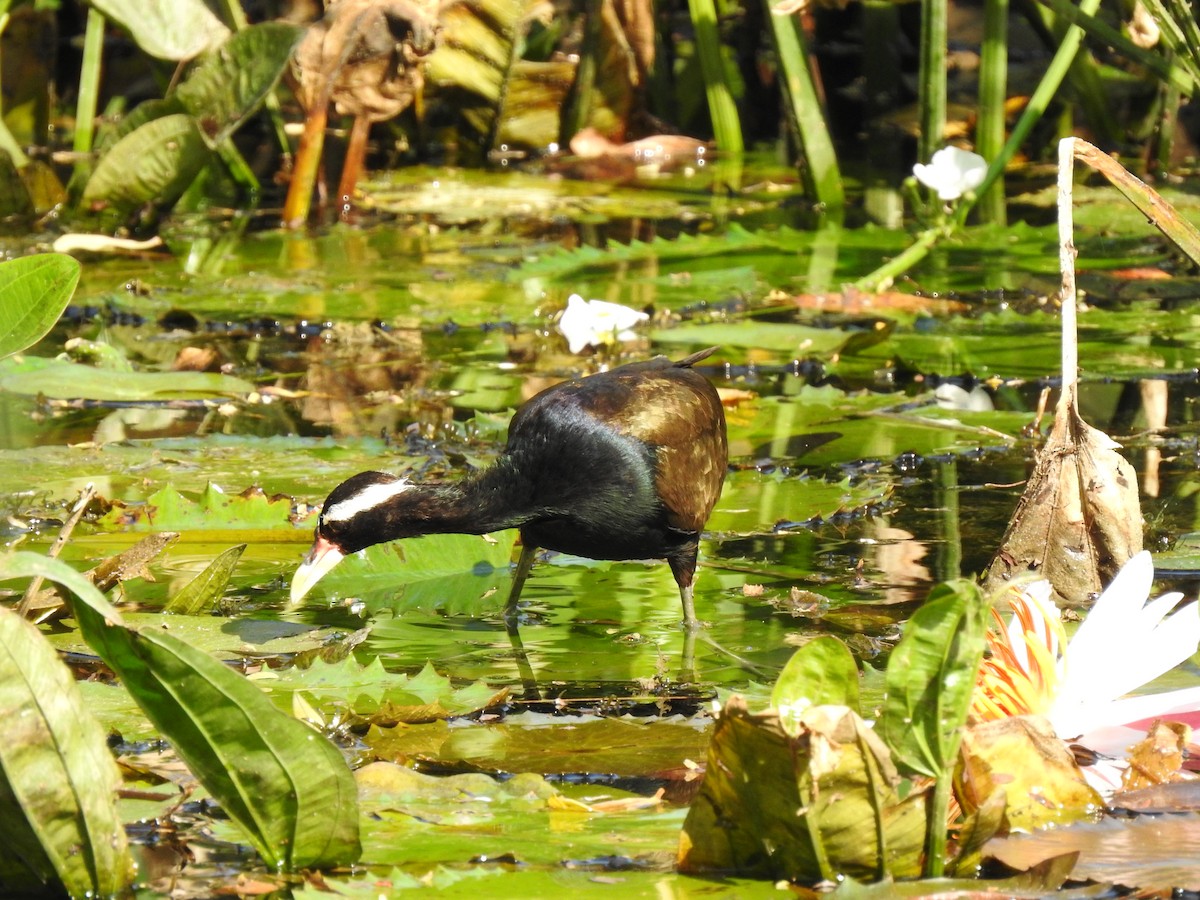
<point x="155" y="164"/>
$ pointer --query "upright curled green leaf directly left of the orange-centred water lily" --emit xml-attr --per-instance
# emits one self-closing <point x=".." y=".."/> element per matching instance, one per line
<point x="931" y="677"/>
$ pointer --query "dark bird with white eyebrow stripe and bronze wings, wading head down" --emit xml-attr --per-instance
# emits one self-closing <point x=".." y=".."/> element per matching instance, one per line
<point x="621" y="465"/>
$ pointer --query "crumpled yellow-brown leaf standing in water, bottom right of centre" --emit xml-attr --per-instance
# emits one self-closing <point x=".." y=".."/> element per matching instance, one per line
<point x="803" y="808"/>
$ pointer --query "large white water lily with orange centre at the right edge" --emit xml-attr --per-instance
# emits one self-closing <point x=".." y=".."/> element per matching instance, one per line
<point x="1083" y="687"/>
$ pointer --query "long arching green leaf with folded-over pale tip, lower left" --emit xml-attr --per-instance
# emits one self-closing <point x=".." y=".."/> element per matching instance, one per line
<point x="286" y="785"/>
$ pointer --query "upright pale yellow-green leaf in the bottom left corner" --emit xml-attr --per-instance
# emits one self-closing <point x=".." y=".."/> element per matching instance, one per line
<point x="58" y="781"/>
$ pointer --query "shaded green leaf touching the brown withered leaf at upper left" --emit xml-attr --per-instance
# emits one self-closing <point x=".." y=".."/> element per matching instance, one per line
<point x="229" y="83"/>
